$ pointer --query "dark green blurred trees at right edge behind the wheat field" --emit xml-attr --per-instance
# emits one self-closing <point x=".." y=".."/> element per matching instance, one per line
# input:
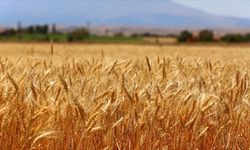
<point x="208" y="36"/>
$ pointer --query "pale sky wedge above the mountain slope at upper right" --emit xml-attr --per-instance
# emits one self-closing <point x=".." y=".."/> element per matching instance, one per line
<point x="237" y="8"/>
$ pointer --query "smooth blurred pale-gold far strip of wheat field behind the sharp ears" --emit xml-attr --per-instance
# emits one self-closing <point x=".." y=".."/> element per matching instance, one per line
<point x="124" y="51"/>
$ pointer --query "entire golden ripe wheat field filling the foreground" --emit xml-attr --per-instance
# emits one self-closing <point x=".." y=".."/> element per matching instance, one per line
<point x="97" y="96"/>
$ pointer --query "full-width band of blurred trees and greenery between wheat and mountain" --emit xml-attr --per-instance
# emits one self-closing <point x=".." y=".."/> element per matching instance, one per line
<point x="45" y="33"/>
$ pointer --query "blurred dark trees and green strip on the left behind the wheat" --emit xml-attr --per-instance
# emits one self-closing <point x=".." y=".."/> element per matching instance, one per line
<point x="42" y="33"/>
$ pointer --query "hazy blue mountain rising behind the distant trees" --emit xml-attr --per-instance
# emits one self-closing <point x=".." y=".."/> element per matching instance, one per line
<point x="114" y="12"/>
